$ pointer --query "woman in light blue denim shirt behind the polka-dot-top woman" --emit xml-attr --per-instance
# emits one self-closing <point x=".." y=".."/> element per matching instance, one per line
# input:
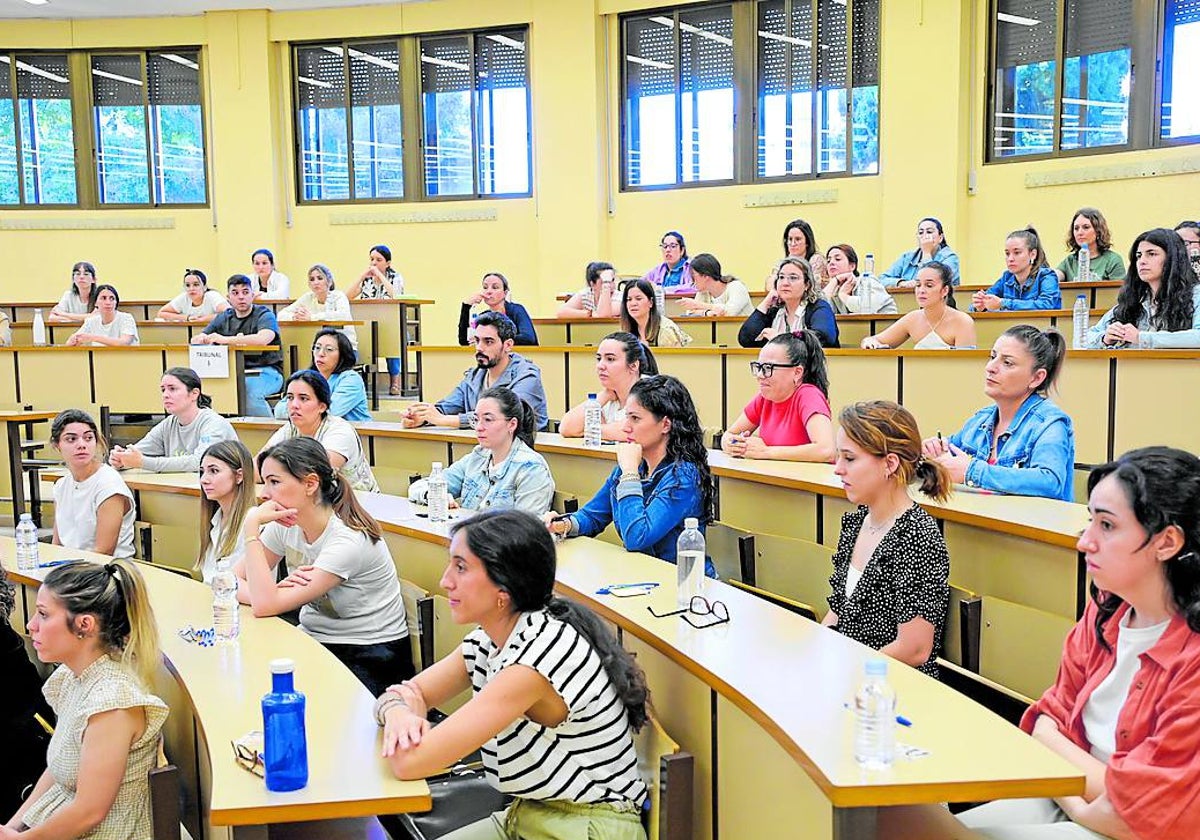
<point x="1023" y="445"/>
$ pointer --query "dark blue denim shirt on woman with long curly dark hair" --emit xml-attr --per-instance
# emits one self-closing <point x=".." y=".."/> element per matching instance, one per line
<point x="649" y="513"/>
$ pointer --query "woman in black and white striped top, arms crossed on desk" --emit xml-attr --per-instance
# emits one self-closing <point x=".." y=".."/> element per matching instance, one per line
<point x="548" y="679"/>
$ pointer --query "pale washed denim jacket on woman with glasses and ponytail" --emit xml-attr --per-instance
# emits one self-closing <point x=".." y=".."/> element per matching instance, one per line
<point x="523" y="482"/>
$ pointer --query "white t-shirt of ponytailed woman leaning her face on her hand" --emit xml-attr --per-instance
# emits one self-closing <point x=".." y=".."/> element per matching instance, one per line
<point x="367" y="608"/>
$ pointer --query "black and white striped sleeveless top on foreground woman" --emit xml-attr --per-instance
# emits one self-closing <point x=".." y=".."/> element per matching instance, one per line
<point x="589" y="758"/>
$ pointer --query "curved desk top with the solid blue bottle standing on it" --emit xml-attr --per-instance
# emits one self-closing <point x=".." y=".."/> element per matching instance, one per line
<point x="347" y="777"/>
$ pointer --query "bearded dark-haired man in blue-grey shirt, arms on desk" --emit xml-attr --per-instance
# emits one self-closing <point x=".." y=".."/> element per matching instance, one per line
<point x="496" y="365"/>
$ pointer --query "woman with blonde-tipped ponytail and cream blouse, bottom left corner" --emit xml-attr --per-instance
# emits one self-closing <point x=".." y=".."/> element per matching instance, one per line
<point x="95" y="620"/>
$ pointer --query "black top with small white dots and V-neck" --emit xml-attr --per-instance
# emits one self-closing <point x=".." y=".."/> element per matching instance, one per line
<point x="905" y="578"/>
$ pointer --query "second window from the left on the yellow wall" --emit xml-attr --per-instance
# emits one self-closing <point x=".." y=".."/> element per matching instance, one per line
<point x="469" y="111"/>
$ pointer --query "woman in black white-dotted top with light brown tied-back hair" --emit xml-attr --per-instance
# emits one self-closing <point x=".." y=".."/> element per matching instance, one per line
<point x="890" y="574"/>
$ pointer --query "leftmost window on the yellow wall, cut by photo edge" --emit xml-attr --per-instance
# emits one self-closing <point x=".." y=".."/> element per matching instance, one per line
<point x="148" y="129"/>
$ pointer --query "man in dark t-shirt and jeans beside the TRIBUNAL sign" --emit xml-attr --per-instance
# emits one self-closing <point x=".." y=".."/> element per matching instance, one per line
<point x="249" y="323"/>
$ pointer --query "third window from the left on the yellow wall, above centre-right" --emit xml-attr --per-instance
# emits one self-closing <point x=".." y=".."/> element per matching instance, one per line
<point x="813" y="80"/>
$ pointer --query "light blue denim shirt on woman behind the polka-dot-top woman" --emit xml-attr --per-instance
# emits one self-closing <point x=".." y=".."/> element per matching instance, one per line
<point x="1036" y="457"/>
